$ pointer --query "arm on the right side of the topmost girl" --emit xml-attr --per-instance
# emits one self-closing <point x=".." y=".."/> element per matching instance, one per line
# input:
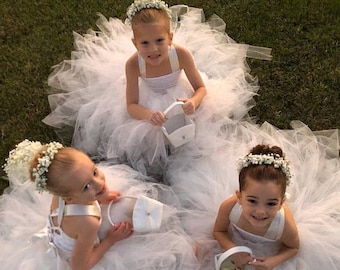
<point x="186" y="62"/>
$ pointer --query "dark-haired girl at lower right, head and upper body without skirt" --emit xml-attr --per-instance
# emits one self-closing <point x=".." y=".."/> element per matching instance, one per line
<point x="256" y="215"/>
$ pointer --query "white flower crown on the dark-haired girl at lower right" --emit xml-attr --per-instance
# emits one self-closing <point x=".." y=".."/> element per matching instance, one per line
<point x="268" y="159"/>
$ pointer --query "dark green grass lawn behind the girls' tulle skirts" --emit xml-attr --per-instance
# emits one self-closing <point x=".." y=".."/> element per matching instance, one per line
<point x="302" y="81"/>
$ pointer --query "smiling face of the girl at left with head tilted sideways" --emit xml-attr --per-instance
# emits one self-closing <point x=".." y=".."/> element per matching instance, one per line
<point x="86" y="182"/>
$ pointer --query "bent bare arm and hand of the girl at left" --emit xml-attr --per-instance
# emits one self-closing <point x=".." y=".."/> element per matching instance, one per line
<point x="85" y="255"/>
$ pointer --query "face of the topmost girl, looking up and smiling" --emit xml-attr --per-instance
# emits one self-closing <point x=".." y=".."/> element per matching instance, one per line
<point x="152" y="41"/>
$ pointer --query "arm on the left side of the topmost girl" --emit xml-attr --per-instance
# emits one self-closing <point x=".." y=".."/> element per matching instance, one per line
<point x="132" y="95"/>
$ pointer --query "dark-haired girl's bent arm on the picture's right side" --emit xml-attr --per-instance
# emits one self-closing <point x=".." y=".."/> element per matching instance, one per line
<point x="290" y="244"/>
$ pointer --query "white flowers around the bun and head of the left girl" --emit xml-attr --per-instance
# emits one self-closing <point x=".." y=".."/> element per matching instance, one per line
<point x="17" y="166"/>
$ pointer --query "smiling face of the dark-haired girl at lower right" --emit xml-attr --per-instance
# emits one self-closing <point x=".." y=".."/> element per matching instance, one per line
<point x="260" y="202"/>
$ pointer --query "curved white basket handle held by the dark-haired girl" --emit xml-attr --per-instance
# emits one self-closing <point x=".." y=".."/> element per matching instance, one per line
<point x="223" y="260"/>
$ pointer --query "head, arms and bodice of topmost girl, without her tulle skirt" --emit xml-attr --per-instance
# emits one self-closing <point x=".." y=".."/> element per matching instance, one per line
<point x="158" y="61"/>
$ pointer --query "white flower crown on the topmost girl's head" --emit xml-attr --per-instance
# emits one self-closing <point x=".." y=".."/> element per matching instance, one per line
<point x="138" y="5"/>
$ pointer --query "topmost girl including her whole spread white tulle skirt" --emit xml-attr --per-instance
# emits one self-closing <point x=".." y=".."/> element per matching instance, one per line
<point x="117" y="113"/>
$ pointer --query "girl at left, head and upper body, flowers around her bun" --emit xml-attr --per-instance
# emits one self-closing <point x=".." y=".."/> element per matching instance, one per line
<point x="78" y="186"/>
